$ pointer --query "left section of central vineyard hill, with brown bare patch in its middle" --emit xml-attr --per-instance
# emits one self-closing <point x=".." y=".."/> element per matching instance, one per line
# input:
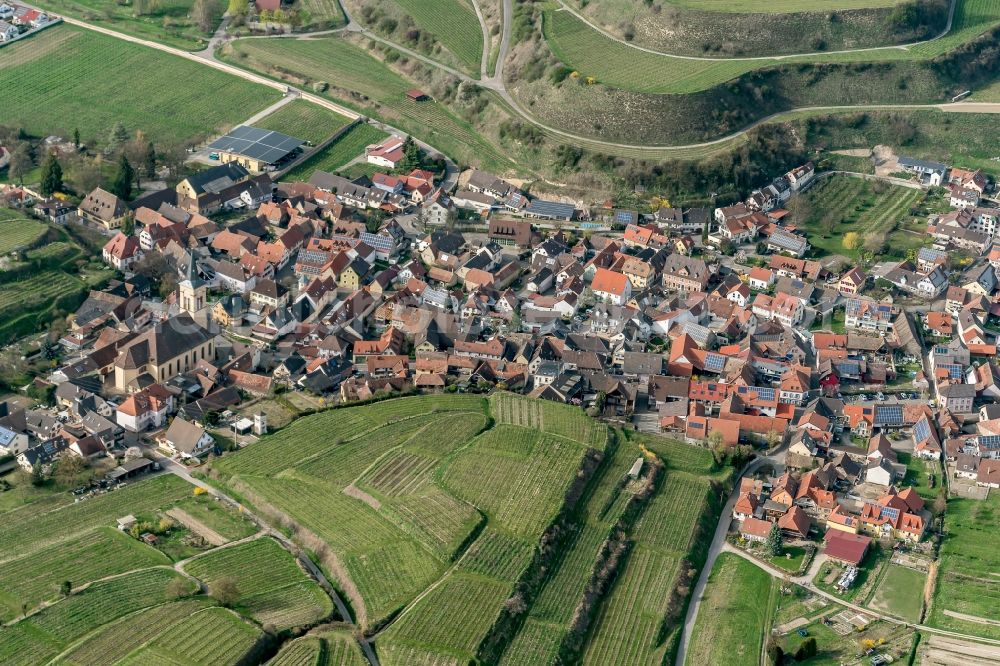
<point x="392" y="528"/>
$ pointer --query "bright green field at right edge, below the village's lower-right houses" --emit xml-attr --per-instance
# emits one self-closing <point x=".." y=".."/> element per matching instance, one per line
<point x="967" y="592"/>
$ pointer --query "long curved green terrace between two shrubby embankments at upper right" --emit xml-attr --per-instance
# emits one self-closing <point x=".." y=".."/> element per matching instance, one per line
<point x="612" y="63"/>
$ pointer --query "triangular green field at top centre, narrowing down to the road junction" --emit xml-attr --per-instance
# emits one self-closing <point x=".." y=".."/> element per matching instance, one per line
<point x="453" y="24"/>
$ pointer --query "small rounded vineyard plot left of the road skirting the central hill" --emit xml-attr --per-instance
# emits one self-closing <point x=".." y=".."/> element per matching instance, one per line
<point x="272" y="588"/>
